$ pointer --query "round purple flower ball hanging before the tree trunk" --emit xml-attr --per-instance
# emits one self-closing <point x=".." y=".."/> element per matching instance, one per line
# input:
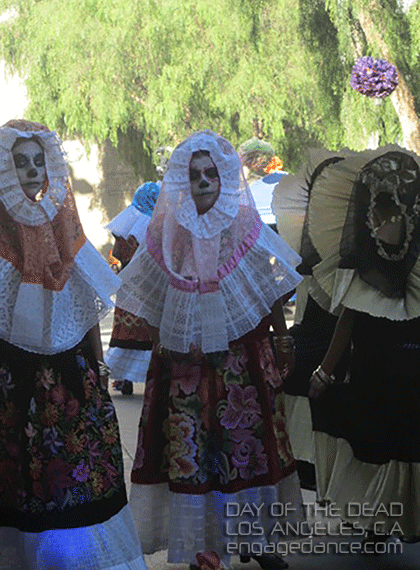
<point x="374" y="77"/>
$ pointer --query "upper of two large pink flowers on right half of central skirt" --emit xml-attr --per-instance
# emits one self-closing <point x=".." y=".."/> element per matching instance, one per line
<point x="243" y="410"/>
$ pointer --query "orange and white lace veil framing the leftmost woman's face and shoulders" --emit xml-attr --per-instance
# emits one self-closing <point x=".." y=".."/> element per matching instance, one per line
<point x="54" y="285"/>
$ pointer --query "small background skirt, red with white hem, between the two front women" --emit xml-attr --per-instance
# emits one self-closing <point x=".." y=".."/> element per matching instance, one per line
<point x="130" y="347"/>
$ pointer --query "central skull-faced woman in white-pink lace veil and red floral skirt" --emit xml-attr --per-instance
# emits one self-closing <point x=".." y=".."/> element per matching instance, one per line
<point x="209" y="279"/>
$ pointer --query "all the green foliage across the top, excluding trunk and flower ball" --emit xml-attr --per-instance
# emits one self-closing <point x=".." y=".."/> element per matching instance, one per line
<point x="99" y="68"/>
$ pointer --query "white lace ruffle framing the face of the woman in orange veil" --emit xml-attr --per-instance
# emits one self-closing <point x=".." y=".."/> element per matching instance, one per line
<point x="17" y="204"/>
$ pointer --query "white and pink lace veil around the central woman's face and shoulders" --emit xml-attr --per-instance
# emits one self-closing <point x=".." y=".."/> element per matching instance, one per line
<point x="206" y="279"/>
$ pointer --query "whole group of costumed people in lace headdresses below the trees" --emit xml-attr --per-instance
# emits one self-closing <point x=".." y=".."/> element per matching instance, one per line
<point x="199" y="319"/>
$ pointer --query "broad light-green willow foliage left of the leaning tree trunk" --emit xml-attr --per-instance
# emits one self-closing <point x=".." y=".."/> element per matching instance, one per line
<point x="96" y="68"/>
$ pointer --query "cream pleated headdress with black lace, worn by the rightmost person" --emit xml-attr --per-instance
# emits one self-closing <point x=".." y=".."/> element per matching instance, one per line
<point x="341" y="240"/>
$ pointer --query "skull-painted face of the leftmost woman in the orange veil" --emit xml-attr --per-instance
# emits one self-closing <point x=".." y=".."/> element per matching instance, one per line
<point x="28" y="156"/>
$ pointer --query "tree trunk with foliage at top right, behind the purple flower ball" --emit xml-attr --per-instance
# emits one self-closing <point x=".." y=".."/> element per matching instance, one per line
<point x="382" y="29"/>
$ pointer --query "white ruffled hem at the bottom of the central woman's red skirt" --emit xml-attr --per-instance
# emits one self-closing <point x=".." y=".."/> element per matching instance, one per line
<point x="187" y="524"/>
